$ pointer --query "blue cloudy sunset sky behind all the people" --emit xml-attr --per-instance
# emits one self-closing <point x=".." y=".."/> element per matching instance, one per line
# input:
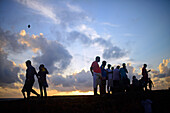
<point x="67" y="35"/>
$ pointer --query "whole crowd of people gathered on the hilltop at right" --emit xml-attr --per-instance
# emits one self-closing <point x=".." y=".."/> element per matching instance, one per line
<point x="116" y="79"/>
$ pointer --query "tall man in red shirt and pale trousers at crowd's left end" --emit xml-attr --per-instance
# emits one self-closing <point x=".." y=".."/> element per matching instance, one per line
<point x="96" y="73"/>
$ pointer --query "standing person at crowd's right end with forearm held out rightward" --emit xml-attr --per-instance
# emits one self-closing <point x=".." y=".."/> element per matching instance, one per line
<point x="145" y="75"/>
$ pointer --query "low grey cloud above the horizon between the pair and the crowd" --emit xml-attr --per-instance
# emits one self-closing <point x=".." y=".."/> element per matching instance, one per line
<point x="81" y="81"/>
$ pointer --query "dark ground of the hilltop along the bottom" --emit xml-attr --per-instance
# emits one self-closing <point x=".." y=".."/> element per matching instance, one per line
<point x="118" y="103"/>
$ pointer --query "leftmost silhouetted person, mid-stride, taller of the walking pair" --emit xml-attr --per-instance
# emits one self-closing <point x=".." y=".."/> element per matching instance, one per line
<point x="30" y="72"/>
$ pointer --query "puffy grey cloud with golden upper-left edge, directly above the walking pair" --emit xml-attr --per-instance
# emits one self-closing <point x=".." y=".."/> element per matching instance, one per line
<point x="51" y="53"/>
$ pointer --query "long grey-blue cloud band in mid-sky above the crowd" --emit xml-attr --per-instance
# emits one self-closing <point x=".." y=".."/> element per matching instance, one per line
<point x="109" y="51"/>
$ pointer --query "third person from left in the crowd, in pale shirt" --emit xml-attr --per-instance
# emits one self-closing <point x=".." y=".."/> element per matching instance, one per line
<point x="110" y="78"/>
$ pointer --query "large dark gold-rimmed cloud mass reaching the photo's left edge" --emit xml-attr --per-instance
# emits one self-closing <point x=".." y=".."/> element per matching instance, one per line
<point x="51" y="53"/>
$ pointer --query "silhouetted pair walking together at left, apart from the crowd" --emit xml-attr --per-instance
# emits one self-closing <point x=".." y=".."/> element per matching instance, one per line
<point x="29" y="82"/>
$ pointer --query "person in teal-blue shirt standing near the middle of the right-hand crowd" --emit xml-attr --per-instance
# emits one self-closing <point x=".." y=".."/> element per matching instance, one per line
<point x="123" y="76"/>
